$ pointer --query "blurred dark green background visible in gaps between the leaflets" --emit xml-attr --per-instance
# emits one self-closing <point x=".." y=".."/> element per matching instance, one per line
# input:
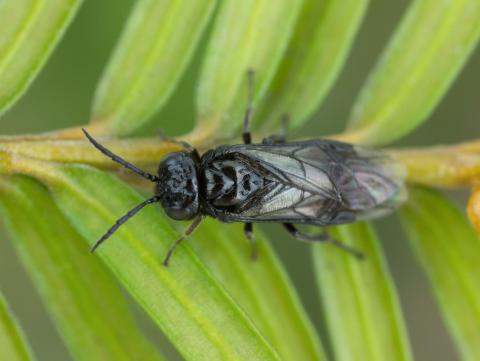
<point x="61" y="96"/>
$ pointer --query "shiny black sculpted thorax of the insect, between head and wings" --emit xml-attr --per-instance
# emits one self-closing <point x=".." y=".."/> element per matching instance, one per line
<point x="229" y="183"/>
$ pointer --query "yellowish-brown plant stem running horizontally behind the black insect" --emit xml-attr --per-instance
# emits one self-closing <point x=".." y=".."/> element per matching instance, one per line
<point x="441" y="166"/>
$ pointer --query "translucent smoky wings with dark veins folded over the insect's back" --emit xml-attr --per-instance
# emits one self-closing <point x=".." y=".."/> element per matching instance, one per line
<point x="316" y="182"/>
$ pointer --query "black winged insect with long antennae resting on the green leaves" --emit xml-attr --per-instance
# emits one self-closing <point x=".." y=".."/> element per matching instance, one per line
<point x="315" y="182"/>
